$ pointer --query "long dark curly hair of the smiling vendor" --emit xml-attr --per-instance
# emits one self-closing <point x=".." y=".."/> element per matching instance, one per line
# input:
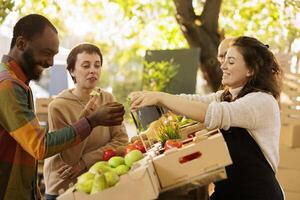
<point x="267" y="74"/>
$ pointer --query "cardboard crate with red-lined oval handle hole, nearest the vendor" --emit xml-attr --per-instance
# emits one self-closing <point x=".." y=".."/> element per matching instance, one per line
<point x="193" y="160"/>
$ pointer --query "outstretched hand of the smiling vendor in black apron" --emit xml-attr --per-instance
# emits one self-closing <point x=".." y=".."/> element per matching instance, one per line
<point x="144" y="98"/>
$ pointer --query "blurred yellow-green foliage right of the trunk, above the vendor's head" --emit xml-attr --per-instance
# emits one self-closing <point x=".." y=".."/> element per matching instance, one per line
<point x="270" y="21"/>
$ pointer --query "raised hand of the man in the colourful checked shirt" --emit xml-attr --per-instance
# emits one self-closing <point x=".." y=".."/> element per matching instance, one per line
<point x="109" y="114"/>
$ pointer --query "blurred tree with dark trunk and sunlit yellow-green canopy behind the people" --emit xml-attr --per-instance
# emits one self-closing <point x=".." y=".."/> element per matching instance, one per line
<point x="126" y="29"/>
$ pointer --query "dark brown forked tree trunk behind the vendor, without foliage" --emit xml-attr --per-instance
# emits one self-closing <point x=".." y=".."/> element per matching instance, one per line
<point x="202" y="31"/>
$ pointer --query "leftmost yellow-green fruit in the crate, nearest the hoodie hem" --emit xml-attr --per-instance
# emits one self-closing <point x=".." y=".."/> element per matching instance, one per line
<point x="85" y="182"/>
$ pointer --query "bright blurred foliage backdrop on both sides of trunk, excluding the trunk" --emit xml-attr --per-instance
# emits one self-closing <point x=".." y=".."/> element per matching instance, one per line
<point x="124" y="30"/>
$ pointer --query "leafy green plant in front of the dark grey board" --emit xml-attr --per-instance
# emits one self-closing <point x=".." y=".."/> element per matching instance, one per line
<point x="157" y="75"/>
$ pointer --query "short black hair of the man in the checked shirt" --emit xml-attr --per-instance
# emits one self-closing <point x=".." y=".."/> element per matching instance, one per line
<point x="30" y="26"/>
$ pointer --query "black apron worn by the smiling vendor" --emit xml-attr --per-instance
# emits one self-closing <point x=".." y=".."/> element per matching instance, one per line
<point x="250" y="177"/>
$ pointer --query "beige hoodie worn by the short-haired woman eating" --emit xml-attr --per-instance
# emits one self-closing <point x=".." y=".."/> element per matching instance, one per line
<point x="65" y="110"/>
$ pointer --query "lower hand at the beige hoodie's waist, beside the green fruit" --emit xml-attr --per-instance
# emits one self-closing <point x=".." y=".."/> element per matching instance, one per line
<point x="71" y="172"/>
